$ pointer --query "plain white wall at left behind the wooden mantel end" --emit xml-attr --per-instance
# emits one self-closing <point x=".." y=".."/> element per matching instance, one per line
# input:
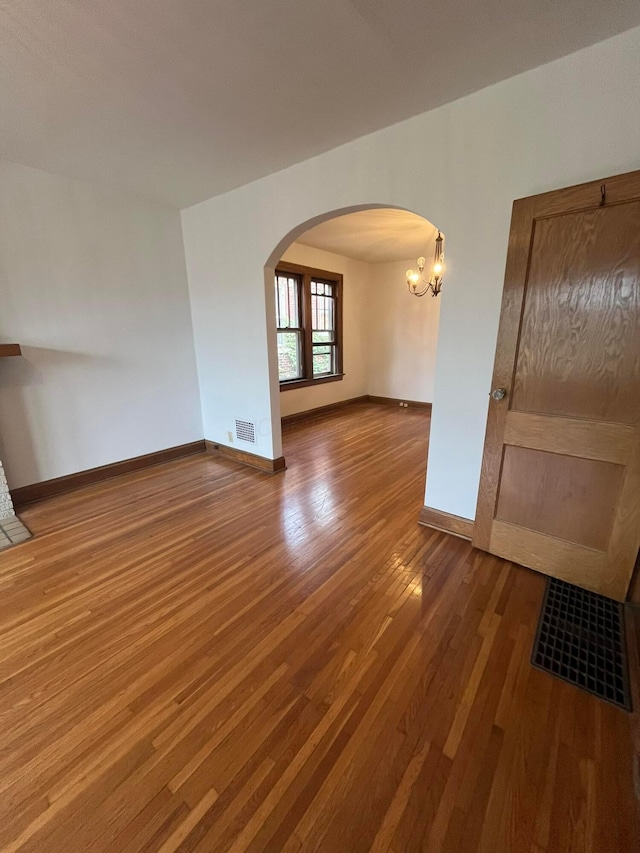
<point x="93" y="285"/>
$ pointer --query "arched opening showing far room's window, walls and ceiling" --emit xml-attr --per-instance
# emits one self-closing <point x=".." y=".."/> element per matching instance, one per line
<point x="342" y="324"/>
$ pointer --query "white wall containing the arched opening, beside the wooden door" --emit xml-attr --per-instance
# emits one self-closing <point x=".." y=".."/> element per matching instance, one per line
<point x="459" y="166"/>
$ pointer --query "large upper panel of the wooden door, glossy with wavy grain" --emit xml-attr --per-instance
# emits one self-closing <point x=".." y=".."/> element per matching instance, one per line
<point x="579" y="352"/>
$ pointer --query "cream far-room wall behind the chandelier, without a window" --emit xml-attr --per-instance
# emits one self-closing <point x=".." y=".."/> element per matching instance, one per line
<point x="403" y="334"/>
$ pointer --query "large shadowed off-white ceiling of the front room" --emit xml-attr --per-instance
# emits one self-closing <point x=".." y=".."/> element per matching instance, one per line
<point x="180" y="100"/>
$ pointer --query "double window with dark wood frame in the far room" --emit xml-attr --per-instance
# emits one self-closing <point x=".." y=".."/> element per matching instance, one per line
<point x="309" y="328"/>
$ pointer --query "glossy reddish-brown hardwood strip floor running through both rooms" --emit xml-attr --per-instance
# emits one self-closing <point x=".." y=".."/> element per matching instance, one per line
<point x="202" y="657"/>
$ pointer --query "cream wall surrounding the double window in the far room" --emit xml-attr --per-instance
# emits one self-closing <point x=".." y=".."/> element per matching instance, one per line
<point x="356" y="283"/>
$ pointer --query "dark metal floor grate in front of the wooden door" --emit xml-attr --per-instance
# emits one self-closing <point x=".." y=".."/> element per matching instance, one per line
<point x="581" y="639"/>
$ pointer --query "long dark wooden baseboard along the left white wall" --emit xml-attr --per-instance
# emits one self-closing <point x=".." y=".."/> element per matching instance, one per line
<point x="48" y="488"/>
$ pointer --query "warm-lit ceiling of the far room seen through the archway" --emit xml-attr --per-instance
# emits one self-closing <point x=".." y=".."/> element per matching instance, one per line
<point x="376" y="236"/>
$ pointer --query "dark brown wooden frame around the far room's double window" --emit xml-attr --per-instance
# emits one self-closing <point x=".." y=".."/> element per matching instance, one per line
<point x="306" y="275"/>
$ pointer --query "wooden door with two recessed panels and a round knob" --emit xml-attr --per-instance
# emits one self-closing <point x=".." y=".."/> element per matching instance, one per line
<point x="560" y="483"/>
